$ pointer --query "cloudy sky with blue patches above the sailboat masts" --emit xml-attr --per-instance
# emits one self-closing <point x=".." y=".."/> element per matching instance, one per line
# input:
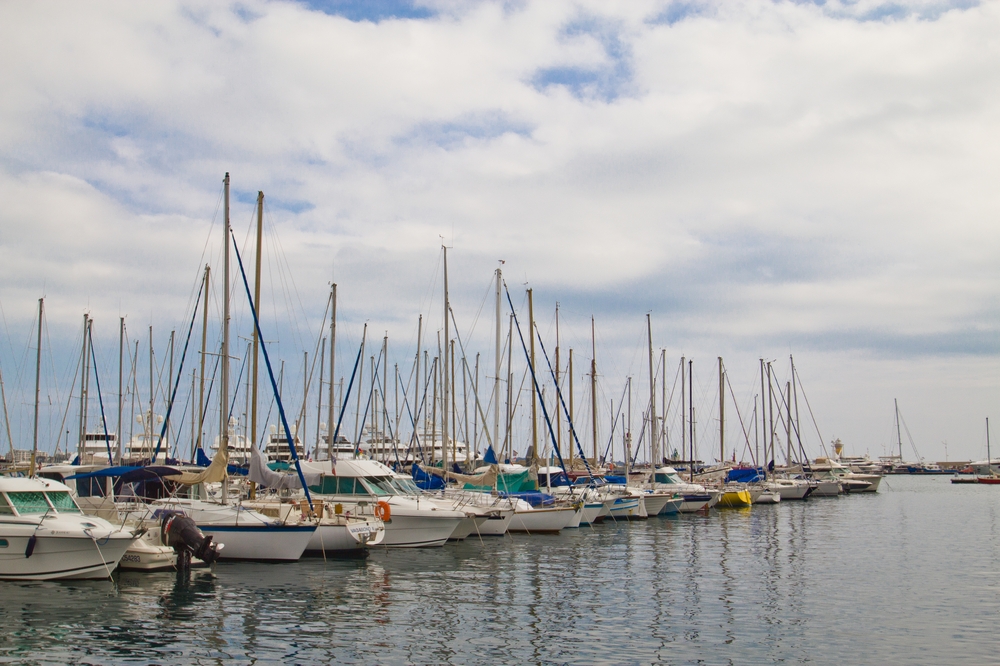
<point x="762" y="178"/>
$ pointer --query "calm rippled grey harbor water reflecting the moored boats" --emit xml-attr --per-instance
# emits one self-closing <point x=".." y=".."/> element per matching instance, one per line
<point x="907" y="575"/>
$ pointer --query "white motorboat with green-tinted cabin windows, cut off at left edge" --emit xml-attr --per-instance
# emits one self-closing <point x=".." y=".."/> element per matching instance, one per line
<point x="45" y="536"/>
